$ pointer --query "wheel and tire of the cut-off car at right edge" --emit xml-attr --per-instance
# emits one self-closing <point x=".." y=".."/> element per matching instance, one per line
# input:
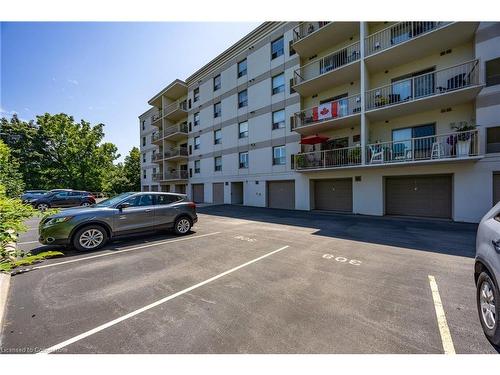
<point x="488" y="306"/>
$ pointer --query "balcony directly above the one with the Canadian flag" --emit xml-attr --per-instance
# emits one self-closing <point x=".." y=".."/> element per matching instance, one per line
<point x="339" y="67"/>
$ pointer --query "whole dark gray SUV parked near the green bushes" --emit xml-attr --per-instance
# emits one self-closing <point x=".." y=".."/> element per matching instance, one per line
<point x="90" y="228"/>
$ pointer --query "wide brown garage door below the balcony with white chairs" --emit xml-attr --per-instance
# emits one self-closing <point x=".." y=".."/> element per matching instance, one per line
<point x="428" y="196"/>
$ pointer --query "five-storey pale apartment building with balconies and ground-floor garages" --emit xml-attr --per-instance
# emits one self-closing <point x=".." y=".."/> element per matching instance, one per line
<point x="375" y="118"/>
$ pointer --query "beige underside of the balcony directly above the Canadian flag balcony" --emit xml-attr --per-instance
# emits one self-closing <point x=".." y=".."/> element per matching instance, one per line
<point x="346" y="73"/>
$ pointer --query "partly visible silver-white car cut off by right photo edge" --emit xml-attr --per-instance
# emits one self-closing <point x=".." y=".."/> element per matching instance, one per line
<point x="487" y="273"/>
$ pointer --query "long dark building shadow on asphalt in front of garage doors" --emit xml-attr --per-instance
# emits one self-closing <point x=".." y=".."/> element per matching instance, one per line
<point x="437" y="236"/>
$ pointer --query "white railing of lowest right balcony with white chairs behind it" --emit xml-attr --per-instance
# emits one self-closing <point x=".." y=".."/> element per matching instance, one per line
<point x="435" y="147"/>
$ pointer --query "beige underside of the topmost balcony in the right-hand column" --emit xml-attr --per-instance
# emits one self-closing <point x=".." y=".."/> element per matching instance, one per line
<point x="432" y="42"/>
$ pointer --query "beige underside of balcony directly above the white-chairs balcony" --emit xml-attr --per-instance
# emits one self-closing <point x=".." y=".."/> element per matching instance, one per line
<point x="424" y="104"/>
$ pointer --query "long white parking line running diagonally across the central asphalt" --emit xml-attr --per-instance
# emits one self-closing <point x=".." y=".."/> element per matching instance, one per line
<point x="154" y="304"/>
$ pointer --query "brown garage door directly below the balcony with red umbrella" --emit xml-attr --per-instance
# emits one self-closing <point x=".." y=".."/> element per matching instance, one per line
<point x="333" y="195"/>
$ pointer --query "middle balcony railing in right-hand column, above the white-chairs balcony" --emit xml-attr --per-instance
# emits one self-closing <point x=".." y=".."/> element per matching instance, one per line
<point x="424" y="85"/>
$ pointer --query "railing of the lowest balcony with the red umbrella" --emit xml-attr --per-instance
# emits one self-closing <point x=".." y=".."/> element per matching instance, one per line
<point x="337" y="158"/>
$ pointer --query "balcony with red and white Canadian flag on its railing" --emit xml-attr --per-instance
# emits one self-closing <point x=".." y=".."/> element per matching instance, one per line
<point x="329" y="116"/>
